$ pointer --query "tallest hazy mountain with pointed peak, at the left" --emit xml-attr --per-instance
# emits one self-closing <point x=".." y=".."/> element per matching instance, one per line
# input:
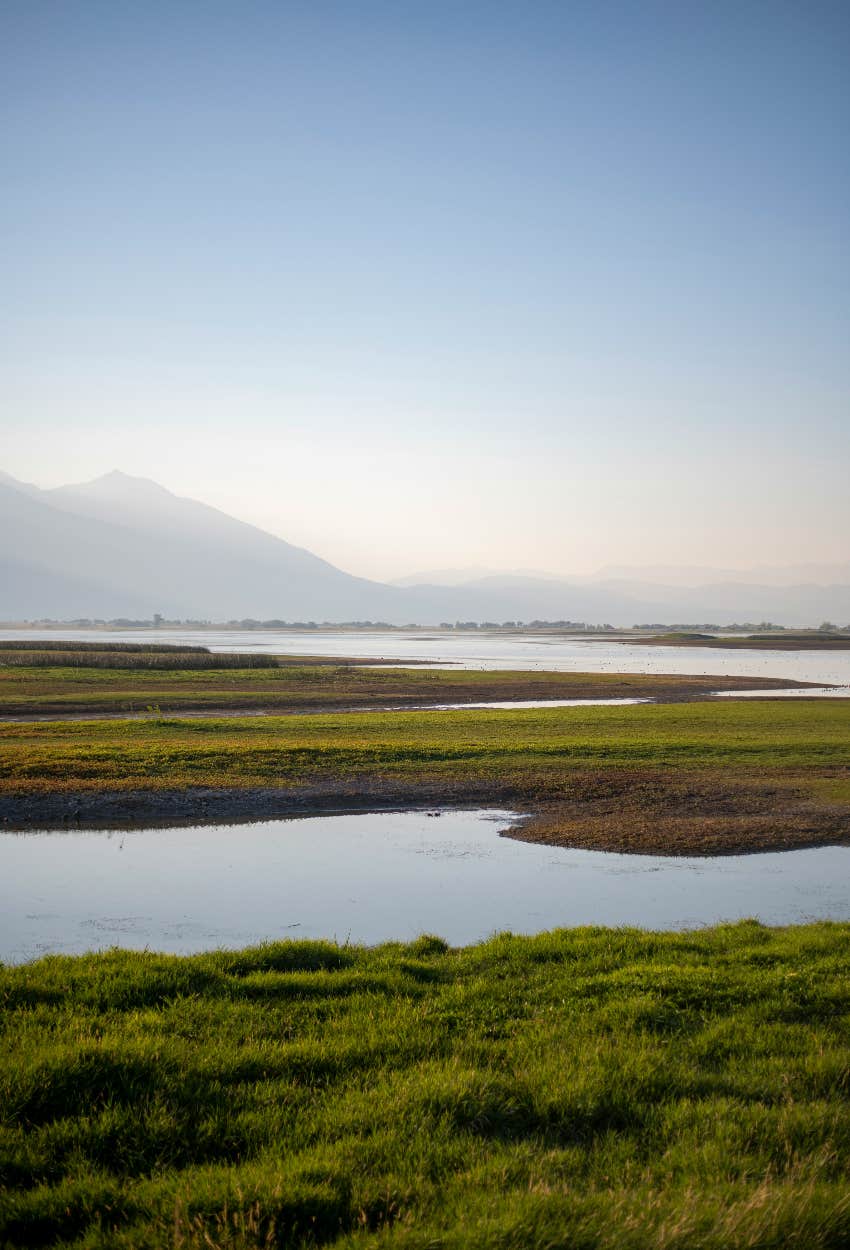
<point x="126" y="547"/>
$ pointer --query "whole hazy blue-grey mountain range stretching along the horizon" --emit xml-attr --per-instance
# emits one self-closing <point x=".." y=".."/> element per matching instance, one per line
<point x="126" y="547"/>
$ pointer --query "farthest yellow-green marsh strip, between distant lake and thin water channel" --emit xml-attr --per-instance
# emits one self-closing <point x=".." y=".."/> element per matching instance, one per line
<point x="41" y="691"/>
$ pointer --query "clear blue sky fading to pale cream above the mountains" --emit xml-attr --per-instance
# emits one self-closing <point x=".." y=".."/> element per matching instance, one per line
<point x="431" y="283"/>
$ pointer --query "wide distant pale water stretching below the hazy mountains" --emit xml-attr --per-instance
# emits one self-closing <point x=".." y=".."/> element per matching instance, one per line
<point x="482" y="651"/>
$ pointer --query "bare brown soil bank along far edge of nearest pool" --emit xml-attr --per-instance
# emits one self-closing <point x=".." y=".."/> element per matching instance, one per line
<point x="612" y="811"/>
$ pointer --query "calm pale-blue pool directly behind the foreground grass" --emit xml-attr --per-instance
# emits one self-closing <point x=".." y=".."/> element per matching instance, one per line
<point x="371" y="878"/>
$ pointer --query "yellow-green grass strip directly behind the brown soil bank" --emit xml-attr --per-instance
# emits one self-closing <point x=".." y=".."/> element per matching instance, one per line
<point x="527" y="747"/>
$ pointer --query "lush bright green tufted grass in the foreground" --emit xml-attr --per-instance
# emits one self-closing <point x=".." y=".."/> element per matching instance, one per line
<point x="581" y="1089"/>
